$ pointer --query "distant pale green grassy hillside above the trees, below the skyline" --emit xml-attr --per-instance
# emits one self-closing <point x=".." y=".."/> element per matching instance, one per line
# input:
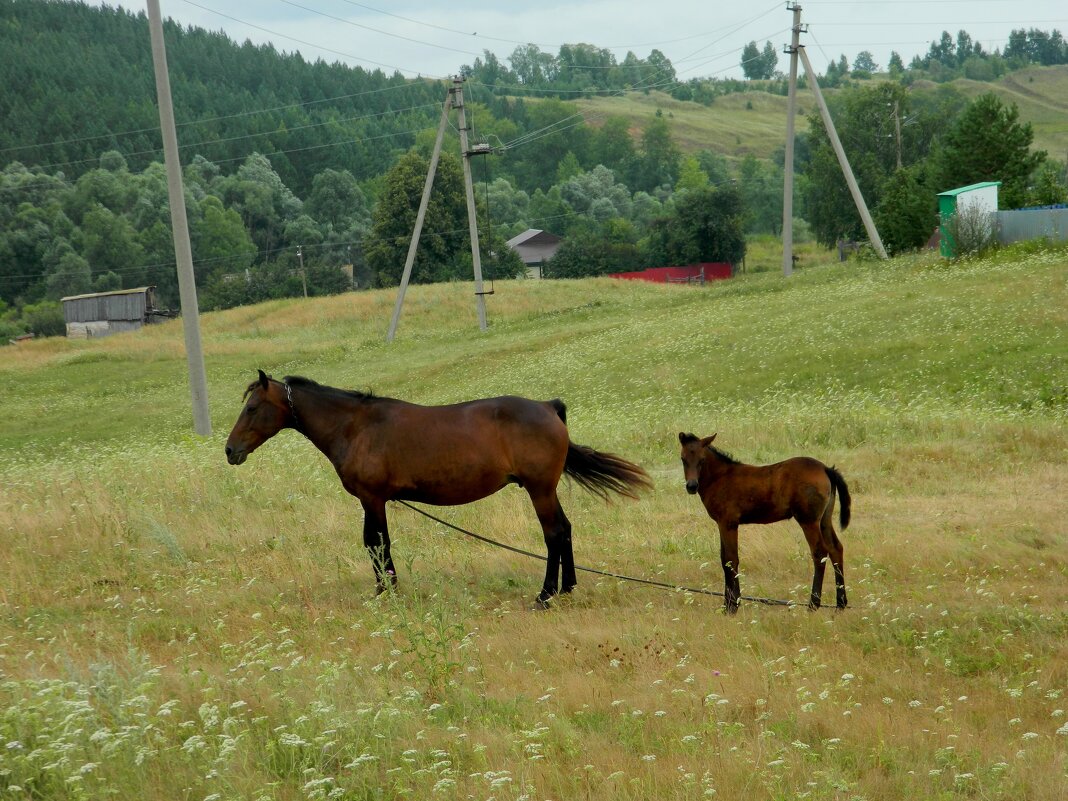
<point x="756" y="122"/>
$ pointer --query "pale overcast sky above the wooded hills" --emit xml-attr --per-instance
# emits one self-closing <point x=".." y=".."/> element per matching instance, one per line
<point x="701" y="38"/>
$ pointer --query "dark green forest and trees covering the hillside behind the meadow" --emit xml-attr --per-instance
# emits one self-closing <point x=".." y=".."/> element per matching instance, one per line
<point x="301" y="167"/>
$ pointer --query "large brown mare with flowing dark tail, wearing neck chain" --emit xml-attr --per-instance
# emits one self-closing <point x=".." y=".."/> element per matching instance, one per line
<point x="387" y="450"/>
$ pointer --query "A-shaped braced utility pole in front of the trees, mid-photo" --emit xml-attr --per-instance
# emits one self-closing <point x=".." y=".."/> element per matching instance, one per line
<point x="454" y="100"/>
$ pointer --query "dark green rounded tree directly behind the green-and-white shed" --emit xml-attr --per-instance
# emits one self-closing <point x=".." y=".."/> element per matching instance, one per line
<point x="988" y="143"/>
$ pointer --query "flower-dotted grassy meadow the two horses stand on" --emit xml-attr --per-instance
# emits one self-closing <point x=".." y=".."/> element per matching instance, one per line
<point x="176" y="629"/>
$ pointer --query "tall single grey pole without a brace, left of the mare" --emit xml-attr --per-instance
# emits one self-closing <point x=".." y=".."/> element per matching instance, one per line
<point x="180" y="226"/>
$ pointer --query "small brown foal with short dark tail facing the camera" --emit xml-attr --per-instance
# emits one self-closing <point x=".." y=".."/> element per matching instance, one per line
<point x="735" y="494"/>
